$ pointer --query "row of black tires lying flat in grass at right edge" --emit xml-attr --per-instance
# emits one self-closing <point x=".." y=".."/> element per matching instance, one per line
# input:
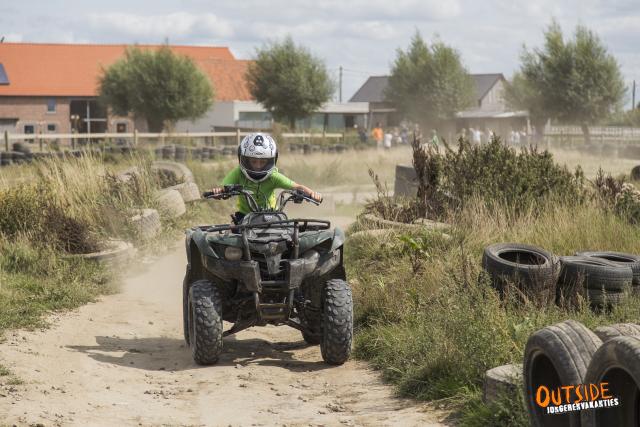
<point x="536" y="275"/>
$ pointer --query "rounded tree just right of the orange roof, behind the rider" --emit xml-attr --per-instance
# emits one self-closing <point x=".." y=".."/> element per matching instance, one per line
<point x="288" y="81"/>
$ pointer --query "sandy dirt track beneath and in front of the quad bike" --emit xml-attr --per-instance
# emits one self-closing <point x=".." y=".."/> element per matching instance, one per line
<point x="122" y="362"/>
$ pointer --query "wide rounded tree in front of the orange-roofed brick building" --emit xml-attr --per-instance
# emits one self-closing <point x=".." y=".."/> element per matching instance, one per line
<point x="160" y="86"/>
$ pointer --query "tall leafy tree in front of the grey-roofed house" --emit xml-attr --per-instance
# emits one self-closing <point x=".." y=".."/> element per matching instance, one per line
<point x="429" y="83"/>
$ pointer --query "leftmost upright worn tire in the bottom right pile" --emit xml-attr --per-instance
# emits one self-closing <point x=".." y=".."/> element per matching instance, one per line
<point x="556" y="356"/>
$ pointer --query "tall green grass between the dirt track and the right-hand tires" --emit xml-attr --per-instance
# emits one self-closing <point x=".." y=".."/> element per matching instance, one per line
<point x="434" y="333"/>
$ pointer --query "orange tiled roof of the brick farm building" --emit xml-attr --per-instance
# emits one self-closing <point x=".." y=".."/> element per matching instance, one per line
<point x="73" y="69"/>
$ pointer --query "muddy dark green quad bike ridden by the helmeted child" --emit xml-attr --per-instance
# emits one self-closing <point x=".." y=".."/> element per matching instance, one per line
<point x="268" y="269"/>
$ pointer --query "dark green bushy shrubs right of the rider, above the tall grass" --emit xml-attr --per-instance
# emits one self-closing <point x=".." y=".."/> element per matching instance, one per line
<point x="495" y="173"/>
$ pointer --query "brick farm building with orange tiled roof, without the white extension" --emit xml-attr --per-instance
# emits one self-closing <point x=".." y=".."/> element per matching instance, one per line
<point x="52" y="88"/>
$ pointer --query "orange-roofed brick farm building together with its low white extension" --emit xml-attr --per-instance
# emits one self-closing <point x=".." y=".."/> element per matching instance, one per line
<point x="52" y="88"/>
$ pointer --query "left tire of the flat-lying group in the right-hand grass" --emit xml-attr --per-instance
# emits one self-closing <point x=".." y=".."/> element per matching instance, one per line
<point x="533" y="269"/>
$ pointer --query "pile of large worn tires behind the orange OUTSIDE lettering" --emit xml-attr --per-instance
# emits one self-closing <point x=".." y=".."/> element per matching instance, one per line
<point x="569" y="354"/>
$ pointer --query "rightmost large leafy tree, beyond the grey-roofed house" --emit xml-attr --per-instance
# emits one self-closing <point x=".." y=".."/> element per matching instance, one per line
<point x="576" y="81"/>
